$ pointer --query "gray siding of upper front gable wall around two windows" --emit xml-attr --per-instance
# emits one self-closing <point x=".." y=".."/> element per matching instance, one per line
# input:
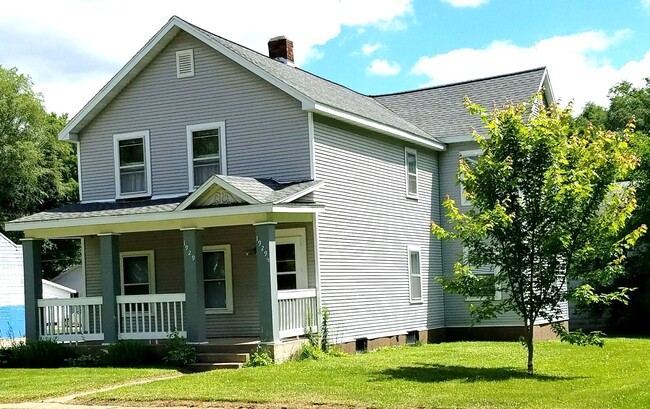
<point x="266" y="130"/>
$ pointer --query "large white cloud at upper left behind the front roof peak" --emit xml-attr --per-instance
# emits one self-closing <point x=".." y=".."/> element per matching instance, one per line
<point x="101" y="31"/>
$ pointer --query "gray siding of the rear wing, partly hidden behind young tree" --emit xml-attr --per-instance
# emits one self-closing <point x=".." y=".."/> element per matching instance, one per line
<point x="456" y="313"/>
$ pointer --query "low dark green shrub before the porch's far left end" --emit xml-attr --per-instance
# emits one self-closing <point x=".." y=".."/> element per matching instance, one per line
<point x="40" y="353"/>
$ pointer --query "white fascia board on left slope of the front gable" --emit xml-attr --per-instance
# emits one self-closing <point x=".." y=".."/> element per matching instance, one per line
<point x="70" y="131"/>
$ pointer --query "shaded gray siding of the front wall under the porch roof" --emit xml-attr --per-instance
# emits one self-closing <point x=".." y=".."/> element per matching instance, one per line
<point x="168" y="259"/>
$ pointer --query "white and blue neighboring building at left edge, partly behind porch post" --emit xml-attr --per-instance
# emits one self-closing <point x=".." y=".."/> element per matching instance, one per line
<point x="12" y="294"/>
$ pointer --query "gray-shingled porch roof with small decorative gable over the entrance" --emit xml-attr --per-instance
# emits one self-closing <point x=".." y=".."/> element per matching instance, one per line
<point x="243" y="196"/>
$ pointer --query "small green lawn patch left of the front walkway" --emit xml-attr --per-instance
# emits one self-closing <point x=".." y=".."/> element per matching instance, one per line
<point x="18" y="385"/>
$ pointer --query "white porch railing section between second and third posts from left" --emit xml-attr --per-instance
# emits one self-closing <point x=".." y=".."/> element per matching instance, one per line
<point x="150" y="316"/>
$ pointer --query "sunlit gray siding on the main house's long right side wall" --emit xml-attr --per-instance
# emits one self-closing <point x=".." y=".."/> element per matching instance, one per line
<point x="365" y="230"/>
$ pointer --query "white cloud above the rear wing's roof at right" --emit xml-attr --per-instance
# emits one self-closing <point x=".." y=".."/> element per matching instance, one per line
<point x="575" y="68"/>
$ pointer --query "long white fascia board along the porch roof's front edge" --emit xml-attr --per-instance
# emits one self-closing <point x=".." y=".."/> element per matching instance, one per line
<point x="162" y="216"/>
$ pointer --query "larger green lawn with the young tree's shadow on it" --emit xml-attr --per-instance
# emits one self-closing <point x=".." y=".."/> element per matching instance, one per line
<point x="458" y="375"/>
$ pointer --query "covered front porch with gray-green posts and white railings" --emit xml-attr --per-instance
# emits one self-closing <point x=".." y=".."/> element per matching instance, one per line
<point x="236" y="258"/>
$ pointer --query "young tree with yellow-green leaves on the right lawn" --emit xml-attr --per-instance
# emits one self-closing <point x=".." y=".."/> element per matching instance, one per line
<point x="547" y="208"/>
